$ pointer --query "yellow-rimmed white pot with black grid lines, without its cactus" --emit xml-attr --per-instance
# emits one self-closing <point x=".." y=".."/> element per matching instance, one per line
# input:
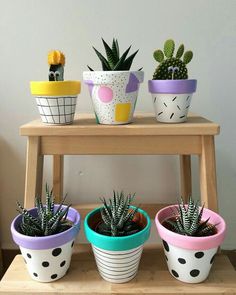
<point x="56" y="100"/>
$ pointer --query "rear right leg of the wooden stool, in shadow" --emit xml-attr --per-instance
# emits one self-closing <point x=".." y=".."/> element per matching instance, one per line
<point x="185" y="177"/>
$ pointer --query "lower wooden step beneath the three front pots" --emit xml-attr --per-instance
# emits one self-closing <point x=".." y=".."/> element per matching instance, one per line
<point x="153" y="278"/>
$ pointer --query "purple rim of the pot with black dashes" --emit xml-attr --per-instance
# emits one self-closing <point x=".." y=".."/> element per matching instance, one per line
<point x="172" y="86"/>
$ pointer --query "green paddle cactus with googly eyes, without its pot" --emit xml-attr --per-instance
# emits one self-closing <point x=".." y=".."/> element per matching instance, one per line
<point x="172" y="67"/>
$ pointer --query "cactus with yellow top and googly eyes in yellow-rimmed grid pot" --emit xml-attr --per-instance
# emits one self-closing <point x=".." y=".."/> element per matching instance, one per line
<point x="56" y="99"/>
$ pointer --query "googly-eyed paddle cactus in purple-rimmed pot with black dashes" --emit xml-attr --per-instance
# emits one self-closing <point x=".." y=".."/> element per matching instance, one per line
<point x="170" y="88"/>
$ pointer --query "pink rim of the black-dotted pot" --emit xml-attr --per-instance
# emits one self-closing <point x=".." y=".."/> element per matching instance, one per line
<point x="191" y="243"/>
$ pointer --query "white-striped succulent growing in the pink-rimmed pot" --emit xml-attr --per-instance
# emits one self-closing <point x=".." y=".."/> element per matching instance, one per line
<point x="188" y="220"/>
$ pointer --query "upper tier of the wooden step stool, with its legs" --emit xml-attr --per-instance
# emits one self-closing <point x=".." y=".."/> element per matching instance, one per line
<point x="143" y="137"/>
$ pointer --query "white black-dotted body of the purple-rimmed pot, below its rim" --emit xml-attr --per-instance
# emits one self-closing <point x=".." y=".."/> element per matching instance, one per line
<point x="48" y="264"/>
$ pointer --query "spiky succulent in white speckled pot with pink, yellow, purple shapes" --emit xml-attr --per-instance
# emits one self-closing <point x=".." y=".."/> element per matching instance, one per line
<point x="114" y="90"/>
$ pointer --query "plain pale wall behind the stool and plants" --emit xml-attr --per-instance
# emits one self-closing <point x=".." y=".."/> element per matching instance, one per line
<point x="29" y="29"/>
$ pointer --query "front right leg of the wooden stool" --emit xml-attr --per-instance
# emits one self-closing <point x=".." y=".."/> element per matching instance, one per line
<point x="208" y="174"/>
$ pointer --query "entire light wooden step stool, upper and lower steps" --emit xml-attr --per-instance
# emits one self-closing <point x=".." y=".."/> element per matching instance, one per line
<point x="144" y="137"/>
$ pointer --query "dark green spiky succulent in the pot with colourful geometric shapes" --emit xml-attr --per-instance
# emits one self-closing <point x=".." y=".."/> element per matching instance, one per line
<point x="114" y="61"/>
